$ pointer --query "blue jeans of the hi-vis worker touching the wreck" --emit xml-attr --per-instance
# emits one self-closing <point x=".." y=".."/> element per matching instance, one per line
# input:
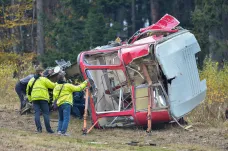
<point x="64" y="117"/>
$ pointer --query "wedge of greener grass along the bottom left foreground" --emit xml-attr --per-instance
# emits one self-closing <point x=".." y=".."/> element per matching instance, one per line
<point x="22" y="140"/>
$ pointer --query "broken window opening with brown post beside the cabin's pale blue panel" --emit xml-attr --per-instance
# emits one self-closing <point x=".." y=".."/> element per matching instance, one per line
<point x="142" y="72"/>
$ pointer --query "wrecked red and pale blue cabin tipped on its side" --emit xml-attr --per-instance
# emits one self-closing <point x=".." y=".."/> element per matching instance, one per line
<point x="153" y="78"/>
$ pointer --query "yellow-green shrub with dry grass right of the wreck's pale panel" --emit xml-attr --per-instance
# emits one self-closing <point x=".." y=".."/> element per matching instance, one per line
<point x="212" y="110"/>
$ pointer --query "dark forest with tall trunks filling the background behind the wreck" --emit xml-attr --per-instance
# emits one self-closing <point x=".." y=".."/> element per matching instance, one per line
<point x="60" y="29"/>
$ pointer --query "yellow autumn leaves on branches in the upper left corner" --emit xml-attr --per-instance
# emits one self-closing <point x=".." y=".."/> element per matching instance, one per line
<point x="14" y="16"/>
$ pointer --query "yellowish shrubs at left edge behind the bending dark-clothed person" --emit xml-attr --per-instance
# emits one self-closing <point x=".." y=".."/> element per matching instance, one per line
<point x="12" y="68"/>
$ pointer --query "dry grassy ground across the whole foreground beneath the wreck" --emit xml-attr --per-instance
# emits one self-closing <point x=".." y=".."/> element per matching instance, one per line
<point x="14" y="127"/>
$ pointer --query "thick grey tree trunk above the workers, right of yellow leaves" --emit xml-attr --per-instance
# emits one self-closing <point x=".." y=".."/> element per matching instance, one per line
<point x="40" y="29"/>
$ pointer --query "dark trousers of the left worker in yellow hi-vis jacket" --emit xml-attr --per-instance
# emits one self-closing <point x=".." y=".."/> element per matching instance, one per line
<point x="44" y="107"/>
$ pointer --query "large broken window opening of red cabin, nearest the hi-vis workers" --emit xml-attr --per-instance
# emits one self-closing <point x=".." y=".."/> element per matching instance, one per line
<point x="112" y="92"/>
